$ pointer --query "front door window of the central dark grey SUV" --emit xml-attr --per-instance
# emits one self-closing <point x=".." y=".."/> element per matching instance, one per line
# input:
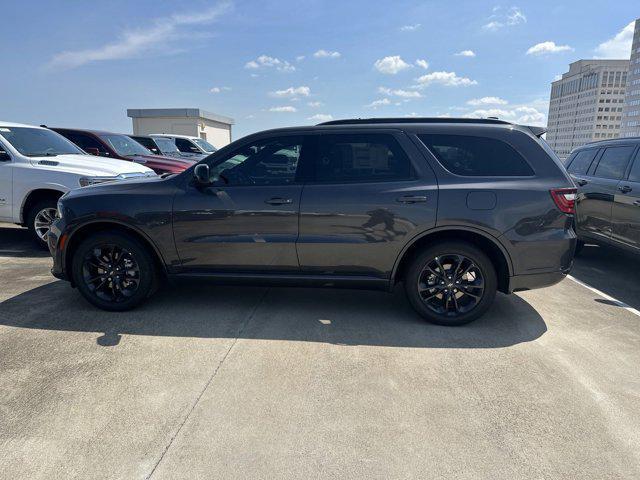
<point x="272" y="161"/>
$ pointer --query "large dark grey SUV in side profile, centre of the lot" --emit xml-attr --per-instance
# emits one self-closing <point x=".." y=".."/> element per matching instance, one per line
<point x="454" y="208"/>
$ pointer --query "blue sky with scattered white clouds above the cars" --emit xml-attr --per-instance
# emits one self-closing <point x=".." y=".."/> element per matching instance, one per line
<point x="277" y="63"/>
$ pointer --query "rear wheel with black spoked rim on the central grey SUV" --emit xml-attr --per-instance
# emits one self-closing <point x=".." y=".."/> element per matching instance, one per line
<point x="427" y="288"/>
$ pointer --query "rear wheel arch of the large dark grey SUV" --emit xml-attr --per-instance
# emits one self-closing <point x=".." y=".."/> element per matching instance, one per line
<point x="489" y="244"/>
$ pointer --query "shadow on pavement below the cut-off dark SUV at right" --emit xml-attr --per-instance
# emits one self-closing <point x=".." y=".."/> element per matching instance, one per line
<point x="610" y="270"/>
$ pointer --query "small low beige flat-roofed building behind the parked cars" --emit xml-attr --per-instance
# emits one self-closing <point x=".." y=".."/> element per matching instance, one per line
<point x="216" y="129"/>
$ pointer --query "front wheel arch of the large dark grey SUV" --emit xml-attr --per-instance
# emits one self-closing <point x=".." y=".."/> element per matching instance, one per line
<point x="95" y="226"/>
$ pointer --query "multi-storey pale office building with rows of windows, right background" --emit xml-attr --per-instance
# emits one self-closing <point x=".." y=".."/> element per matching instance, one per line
<point x="586" y="104"/>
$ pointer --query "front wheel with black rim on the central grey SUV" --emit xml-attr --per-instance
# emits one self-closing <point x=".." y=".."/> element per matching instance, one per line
<point x="114" y="271"/>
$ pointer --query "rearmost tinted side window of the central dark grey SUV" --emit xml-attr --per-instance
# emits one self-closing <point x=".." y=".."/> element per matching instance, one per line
<point x="476" y="156"/>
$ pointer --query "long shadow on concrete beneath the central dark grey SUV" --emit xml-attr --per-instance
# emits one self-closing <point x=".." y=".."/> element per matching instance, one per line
<point x="342" y="317"/>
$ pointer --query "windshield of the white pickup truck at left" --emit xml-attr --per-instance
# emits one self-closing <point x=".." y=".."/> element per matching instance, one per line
<point x="38" y="142"/>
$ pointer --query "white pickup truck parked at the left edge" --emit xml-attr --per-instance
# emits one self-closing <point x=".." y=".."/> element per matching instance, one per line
<point x="37" y="166"/>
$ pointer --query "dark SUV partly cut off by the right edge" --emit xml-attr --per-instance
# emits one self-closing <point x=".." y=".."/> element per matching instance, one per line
<point x="608" y="202"/>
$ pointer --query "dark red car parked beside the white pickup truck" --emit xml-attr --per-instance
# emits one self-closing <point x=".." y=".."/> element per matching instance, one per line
<point x="123" y="147"/>
